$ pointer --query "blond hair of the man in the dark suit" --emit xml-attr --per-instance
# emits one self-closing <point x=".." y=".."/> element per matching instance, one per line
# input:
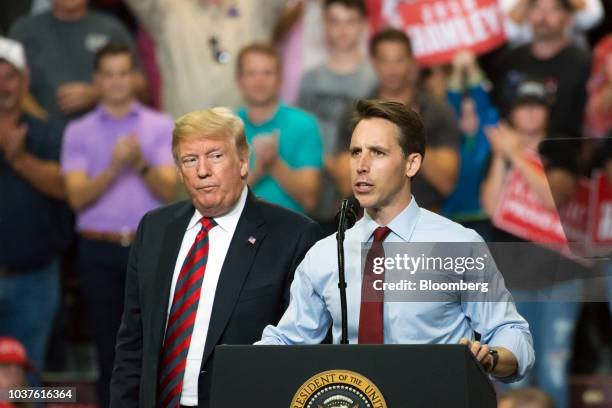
<point x="210" y="123"/>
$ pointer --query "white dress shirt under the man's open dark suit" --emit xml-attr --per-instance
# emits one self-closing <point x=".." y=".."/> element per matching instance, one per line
<point x="219" y="237"/>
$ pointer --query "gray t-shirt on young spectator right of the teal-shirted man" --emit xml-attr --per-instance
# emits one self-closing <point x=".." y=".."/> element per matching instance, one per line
<point x="327" y="95"/>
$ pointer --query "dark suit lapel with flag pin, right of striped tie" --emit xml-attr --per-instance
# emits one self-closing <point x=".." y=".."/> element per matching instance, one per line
<point x="238" y="262"/>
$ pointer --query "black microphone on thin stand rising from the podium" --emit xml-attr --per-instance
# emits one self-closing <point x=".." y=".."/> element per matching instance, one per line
<point x="345" y="219"/>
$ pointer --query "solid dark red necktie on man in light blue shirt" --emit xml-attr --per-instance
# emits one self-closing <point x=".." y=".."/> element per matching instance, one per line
<point x="371" y="320"/>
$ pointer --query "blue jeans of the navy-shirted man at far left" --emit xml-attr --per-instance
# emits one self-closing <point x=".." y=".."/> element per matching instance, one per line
<point x="29" y="301"/>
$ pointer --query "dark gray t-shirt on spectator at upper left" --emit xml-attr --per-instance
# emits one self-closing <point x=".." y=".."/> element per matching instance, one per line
<point x="59" y="52"/>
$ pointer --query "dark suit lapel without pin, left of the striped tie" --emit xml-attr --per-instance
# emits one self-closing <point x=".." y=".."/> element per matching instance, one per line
<point x="171" y="244"/>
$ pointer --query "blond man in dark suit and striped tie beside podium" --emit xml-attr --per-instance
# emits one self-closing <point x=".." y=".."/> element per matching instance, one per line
<point x="215" y="270"/>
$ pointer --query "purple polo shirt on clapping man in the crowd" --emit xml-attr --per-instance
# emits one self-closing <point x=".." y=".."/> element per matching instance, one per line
<point x="88" y="146"/>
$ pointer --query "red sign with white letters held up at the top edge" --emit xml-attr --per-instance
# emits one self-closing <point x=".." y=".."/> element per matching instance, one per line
<point x="440" y="28"/>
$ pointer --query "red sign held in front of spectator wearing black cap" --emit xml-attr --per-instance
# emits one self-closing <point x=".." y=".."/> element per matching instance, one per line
<point x="521" y="212"/>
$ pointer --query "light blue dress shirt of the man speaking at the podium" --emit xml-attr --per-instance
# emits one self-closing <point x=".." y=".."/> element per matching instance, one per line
<point x="315" y="298"/>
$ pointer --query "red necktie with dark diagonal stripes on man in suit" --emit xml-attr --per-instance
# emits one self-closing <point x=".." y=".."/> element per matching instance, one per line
<point x="182" y="318"/>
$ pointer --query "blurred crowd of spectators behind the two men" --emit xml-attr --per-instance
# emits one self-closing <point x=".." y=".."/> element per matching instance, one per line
<point x="515" y="95"/>
